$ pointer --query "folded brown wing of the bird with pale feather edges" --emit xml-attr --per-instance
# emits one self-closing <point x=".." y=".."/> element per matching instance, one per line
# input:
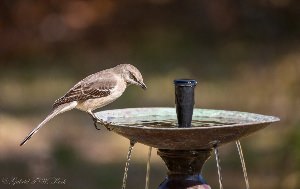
<point x="95" y="86"/>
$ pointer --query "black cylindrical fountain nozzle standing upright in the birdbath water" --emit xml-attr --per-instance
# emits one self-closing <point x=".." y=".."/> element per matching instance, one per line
<point x="184" y="100"/>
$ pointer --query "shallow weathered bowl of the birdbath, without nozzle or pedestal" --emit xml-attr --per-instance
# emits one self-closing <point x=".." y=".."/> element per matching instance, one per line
<point x="156" y="127"/>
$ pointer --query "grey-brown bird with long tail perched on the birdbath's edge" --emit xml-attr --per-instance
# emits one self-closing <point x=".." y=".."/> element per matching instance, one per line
<point x="93" y="92"/>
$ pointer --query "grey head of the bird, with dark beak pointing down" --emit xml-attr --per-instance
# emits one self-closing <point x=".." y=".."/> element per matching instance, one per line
<point x="132" y="75"/>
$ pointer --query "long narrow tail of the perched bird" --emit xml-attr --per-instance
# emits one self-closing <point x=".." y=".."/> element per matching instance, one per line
<point x="58" y="110"/>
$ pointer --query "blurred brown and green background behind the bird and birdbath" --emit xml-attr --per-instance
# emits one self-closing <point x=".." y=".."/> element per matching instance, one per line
<point x="244" y="54"/>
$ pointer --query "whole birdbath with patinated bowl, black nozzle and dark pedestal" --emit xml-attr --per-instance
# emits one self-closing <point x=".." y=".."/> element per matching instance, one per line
<point x="184" y="136"/>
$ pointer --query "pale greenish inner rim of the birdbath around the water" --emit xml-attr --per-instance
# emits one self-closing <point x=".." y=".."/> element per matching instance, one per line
<point x="142" y="112"/>
